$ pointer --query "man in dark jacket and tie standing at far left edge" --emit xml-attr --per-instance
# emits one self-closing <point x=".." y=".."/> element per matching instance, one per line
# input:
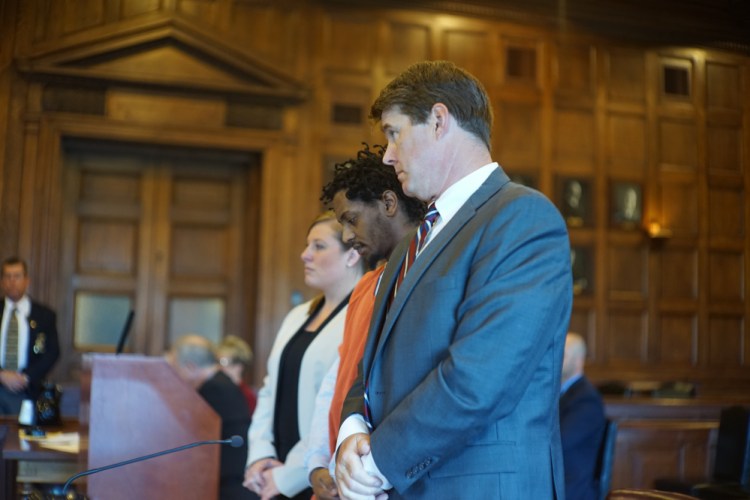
<point x="29" y="345"/>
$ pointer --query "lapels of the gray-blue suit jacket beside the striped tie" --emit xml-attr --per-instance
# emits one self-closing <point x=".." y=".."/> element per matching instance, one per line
<point x="382" y="324"/>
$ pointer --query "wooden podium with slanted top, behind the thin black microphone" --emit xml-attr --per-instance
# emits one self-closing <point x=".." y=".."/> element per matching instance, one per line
<point x="135" y="405"/>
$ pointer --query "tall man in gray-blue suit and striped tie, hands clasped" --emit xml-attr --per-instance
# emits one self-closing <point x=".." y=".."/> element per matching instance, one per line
<point x="459" y="383"/>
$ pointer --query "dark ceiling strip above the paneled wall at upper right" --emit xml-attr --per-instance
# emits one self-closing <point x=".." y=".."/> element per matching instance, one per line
<point x="723" y="24"/>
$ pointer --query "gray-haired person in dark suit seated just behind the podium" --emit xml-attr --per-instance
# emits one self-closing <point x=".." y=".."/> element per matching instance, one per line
<point x="194" y="359"/>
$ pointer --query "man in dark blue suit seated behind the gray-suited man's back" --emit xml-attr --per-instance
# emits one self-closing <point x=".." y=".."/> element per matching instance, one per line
<point x="582" y="423"/>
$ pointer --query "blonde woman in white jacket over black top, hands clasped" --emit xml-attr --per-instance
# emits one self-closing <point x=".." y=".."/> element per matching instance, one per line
<point x="304" y="349"/>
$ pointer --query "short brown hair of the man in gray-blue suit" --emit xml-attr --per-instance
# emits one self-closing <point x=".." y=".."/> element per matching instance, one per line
<point x="422" y="85"/>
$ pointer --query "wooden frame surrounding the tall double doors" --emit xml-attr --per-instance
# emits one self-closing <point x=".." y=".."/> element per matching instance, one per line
<point x="40" y="232"/>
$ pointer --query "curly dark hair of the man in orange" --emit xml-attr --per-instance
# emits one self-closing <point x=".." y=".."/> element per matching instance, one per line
<point x="365" y="178"/>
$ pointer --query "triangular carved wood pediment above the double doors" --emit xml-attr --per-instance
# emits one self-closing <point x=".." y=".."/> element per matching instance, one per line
<point x="170" y="56"/>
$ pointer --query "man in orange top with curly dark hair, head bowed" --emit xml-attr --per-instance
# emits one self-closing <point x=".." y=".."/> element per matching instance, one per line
<point x="375" y="214"/>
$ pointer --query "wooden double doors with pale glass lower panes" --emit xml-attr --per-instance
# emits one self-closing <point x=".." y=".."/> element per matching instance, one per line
<point x="165" y="233"/>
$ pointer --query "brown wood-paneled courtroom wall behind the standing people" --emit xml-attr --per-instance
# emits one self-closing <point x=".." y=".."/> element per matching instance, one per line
<point x="663" y="297"/>
